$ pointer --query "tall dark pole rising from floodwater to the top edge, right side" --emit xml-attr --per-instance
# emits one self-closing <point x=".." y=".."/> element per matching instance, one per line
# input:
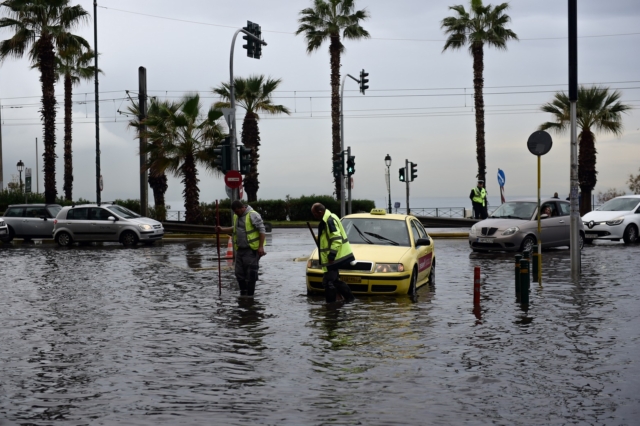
<point x="573" y="98"/>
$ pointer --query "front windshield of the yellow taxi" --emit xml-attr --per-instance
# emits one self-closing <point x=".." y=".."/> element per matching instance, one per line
<point x="376" y="231"/>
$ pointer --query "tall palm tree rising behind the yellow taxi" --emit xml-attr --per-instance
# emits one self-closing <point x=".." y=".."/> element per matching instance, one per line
<point x="325" y="21"/>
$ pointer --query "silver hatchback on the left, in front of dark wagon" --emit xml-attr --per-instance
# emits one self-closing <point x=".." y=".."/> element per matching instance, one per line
<point x="105" y="222"/>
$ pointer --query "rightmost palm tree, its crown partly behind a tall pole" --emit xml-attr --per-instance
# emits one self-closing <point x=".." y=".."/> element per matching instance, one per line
<point x="596" y="109"/>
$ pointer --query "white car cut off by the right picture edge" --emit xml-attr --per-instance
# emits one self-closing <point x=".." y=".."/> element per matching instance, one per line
<point x="618" y="218"/>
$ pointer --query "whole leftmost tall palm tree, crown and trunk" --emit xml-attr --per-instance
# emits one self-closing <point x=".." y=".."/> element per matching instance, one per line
<point x="44" y="25"/>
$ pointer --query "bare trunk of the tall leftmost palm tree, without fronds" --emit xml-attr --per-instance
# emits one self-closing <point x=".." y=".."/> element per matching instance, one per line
<point x="46" y="62"/>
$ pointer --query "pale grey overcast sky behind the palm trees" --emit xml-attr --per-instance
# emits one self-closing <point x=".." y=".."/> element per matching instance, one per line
<point x="418" y="107"/>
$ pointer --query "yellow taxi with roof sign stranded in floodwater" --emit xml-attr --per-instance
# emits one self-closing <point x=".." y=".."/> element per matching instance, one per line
<point x="394" y="255"/>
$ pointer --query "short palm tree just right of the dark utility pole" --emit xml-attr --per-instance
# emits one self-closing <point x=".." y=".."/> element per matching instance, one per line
<point x="157" y="179"/>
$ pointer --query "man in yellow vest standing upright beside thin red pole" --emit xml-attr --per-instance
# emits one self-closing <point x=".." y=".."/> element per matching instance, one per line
<point x="248" y="241"/>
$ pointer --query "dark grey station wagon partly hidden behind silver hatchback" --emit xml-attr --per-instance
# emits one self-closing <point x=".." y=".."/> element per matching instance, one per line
<point x="30" y="221"/>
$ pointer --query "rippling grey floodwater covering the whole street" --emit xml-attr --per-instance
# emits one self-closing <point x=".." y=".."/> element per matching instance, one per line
<point x="107" y="335"/>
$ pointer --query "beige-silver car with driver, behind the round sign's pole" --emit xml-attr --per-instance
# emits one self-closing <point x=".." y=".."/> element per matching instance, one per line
<point x="514" y="226"/>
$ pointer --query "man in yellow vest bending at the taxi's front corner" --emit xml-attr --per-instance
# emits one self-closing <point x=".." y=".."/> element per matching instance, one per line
<point x="334" y="252"/>
